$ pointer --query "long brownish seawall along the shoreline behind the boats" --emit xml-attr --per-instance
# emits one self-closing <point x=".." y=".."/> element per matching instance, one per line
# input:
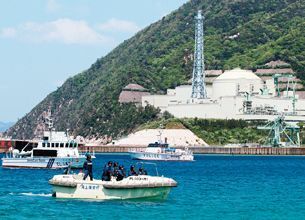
<point x="213" y="150"/>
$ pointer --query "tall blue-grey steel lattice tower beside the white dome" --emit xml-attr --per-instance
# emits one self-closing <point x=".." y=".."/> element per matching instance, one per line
<point x="198" y="85"/>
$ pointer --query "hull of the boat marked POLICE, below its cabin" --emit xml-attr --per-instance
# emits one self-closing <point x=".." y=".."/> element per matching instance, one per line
<point x="160" y="156"/>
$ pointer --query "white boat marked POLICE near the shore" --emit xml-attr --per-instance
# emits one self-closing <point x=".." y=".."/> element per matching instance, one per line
<point x="159" y="151"/>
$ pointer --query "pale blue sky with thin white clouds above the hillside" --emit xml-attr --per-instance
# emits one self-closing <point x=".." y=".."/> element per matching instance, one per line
<point x="43" y="42"/>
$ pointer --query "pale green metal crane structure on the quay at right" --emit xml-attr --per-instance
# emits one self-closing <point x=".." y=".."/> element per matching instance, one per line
<point x="282" y="133"/>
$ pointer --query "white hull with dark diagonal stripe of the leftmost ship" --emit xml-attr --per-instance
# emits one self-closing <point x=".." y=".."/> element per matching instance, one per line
<point x="43" y="163"/>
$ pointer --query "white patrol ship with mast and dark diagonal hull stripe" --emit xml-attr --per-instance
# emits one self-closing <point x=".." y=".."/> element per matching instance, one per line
<point x="56" y="150"/>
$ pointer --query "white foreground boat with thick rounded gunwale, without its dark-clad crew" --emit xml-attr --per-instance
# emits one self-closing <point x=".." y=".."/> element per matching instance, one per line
<point x="132" y="187"/>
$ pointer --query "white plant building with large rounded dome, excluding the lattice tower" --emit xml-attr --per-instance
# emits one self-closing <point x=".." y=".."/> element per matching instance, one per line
<point x="235" y="94"/>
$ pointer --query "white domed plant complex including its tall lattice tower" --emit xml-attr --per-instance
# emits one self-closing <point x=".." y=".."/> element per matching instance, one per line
<point x="233" y="94"/>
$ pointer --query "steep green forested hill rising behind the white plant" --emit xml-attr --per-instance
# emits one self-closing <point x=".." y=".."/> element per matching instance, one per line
<point x="158" y="58"/>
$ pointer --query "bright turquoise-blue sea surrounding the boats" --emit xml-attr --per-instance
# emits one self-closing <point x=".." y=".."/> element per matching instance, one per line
<point x="212" y="187"/>
